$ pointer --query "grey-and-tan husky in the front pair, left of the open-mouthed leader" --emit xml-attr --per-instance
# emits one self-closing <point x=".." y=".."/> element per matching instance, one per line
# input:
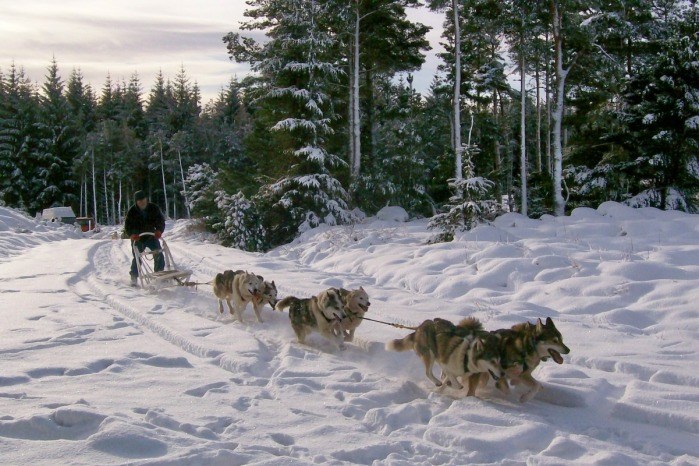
<point x="461" y="350"/>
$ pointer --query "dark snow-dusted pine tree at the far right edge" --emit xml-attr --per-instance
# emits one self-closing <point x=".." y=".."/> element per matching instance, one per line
<point x="663" y="116"/>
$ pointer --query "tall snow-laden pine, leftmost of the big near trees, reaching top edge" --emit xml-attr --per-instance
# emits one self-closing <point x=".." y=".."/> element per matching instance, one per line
<point x="299" y="65"/>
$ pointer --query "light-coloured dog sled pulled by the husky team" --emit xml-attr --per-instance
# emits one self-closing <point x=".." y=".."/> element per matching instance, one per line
<point x="168" y="277"/>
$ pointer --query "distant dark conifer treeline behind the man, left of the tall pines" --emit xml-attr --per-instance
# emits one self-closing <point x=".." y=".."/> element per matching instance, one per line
<point x="65" y="143"/>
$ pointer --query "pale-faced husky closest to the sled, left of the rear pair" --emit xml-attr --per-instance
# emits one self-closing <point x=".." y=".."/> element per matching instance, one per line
<point x="240" y="287"/>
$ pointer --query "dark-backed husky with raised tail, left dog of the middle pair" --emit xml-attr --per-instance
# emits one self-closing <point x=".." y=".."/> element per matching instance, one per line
<point x="322" y="313"/>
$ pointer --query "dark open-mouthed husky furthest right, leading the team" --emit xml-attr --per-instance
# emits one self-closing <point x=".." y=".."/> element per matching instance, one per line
<point x="522" y="348"/>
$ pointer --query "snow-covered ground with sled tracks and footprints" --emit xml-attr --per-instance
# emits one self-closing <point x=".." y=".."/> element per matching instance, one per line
<point x="96" y="372"/>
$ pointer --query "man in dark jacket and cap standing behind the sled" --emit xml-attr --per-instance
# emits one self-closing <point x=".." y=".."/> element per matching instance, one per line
<point x="145" y="217"/>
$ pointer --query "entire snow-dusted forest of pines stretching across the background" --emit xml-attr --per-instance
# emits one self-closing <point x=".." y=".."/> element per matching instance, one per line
<point x="538" y="107"/>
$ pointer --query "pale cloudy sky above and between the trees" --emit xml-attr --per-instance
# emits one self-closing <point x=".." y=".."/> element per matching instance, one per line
<point x="120" y="38"/>
